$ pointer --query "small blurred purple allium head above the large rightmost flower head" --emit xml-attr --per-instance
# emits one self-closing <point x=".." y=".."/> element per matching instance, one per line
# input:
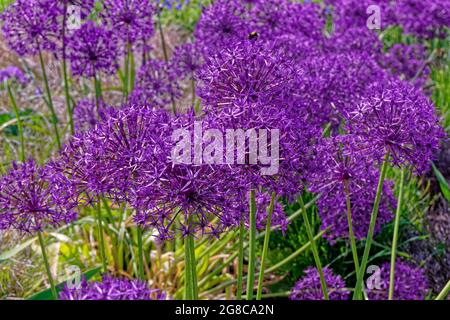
<point x="406" y="61"/>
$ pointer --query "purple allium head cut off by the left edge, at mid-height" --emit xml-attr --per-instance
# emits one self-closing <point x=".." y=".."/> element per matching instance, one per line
<point x="31" y="198"/>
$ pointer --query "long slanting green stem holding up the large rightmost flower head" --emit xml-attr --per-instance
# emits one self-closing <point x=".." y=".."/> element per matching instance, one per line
<point x="373" y="219"/>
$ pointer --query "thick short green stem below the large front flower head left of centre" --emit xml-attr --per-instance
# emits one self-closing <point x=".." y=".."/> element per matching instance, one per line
<point x="191" y="290"/>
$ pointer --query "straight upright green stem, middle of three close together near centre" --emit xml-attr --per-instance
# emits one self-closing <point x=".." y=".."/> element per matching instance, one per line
<point x="252" y="247"/>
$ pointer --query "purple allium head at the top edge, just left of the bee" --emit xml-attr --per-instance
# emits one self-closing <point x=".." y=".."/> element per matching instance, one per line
<point x="220" y="25"/>
